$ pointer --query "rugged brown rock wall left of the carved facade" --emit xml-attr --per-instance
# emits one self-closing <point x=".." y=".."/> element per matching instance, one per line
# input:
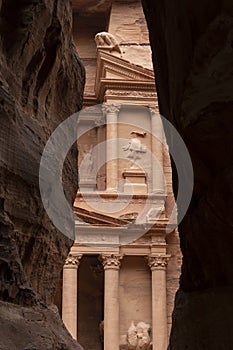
<point x="41" y="84"/>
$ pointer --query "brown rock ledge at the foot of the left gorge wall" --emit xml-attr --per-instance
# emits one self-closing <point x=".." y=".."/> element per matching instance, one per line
<point x="33" y="328"/>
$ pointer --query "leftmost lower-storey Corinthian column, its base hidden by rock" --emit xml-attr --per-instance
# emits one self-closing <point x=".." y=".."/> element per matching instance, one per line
<point x="70" y="294"/>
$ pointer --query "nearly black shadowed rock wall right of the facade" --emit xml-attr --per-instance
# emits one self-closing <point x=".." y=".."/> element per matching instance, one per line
<point x="192" y="52"/>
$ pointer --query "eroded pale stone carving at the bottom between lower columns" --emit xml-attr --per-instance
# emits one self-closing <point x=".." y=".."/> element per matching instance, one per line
<point x="138" y="337"/>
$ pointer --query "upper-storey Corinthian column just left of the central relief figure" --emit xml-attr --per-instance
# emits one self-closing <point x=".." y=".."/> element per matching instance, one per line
<point x="111" y="111"/>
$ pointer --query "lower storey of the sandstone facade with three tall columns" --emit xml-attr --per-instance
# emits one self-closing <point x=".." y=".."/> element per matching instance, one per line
<point x="121" y="298"/>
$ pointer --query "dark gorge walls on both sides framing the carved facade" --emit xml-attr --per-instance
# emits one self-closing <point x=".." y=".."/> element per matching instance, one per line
<point x="41" y="84"/>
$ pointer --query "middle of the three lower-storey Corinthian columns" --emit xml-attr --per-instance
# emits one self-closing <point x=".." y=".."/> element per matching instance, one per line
<point x="111" y="263"/>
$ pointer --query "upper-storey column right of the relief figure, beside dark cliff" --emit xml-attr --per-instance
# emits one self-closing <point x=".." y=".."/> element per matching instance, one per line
<point x="157" y="153"/>
